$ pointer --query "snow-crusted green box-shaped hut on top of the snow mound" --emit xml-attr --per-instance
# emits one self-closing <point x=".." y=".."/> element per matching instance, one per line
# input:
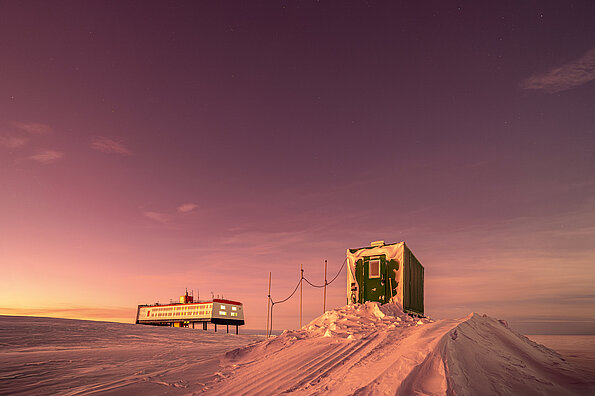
<point x="386" y="273"/>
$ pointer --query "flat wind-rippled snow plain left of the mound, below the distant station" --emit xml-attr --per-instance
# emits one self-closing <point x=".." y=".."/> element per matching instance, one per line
<point x="49" y="356"/>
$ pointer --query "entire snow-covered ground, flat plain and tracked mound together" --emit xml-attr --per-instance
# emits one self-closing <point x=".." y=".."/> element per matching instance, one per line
<point x="358" y="349"/>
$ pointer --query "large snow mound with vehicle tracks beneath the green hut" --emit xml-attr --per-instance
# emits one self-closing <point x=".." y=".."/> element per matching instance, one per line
<point x="377" y="349"/>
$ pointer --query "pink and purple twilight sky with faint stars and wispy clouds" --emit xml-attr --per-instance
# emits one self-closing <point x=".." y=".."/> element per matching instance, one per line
<point x="149" y="147"/>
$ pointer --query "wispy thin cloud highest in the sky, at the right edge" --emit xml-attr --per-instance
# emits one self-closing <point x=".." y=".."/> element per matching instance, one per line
<point x="567" y="76"/>
